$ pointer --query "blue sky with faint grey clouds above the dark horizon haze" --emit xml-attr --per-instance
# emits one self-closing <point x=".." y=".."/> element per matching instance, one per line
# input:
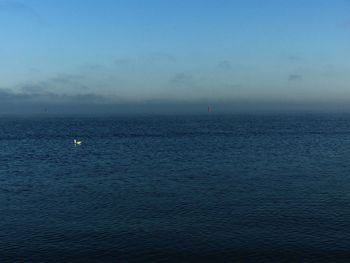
<point x="170" y="51"/>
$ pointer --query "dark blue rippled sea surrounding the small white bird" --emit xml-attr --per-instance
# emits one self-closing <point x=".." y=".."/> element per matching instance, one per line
<point x="175" y="189"/>
